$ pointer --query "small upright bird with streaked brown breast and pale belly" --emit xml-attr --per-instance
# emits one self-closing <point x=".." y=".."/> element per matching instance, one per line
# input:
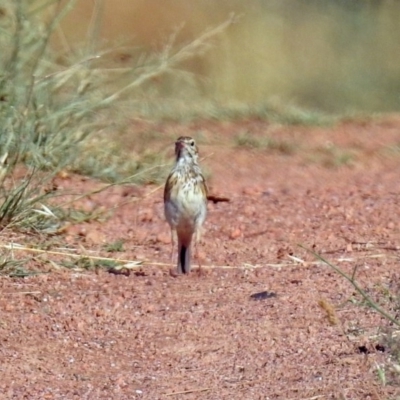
<point x="185" y="201"/>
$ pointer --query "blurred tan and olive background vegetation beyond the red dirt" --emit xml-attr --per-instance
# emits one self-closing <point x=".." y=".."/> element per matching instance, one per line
<point x="334" y="56"/>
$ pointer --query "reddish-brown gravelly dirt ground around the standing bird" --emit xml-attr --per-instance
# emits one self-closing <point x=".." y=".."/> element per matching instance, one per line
<point x="264" y="319"/>
